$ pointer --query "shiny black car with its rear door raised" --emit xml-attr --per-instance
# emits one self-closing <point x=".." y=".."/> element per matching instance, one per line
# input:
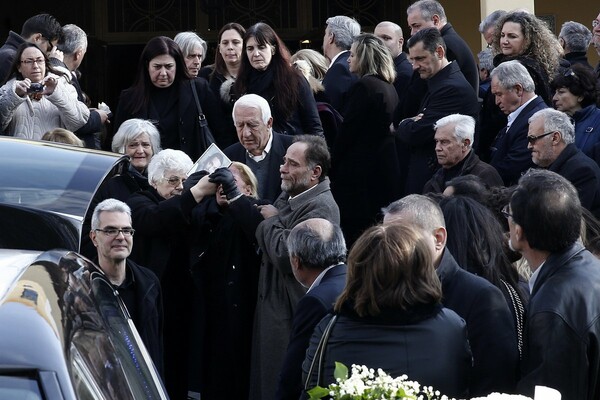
<point x="64" y="331"/>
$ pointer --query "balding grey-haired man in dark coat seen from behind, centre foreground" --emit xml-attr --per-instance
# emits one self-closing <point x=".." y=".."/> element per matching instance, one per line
<point x="317" y="253"/>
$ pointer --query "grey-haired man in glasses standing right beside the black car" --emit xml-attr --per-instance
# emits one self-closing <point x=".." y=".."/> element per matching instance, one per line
<point x="139" y="287"/>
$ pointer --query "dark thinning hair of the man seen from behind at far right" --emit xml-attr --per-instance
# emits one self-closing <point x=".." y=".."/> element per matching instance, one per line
<point x="547" y="207"/>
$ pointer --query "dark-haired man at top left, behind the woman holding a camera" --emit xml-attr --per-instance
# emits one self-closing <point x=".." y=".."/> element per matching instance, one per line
<point x="42" y="30"/>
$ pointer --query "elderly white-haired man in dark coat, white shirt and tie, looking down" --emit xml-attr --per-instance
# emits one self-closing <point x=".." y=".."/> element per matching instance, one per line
<point x="260" y="148"/>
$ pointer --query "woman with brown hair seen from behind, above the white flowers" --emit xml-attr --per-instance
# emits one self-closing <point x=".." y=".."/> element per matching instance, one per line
<point x="389" y="316"/>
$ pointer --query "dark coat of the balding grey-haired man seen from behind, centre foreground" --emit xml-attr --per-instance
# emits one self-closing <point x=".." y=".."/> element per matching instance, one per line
<point x="311" y="308"/>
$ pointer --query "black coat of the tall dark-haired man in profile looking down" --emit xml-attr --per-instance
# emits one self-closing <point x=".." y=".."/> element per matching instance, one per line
<point x="448" y="93"/>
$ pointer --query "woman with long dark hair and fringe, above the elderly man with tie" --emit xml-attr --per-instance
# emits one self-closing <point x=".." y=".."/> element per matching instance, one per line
<point x="266" y="70"/>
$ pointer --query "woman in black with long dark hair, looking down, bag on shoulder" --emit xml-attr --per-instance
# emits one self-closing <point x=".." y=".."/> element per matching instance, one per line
<point x="163" y="92"/>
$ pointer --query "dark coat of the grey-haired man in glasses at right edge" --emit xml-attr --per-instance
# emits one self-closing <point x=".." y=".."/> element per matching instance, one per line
<point x="583" y="173"/>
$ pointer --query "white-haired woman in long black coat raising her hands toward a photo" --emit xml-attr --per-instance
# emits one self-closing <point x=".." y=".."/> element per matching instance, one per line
<point x="162" y="217"/>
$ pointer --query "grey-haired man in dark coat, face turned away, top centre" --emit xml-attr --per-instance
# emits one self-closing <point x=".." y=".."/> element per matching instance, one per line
<point x="339" y="35"/>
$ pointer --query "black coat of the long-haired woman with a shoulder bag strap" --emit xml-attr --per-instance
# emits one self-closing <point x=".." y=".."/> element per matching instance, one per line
<point x="178" y="124"/>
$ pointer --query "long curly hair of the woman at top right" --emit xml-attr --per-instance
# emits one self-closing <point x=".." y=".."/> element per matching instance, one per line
<point x="539" y="42"/>
